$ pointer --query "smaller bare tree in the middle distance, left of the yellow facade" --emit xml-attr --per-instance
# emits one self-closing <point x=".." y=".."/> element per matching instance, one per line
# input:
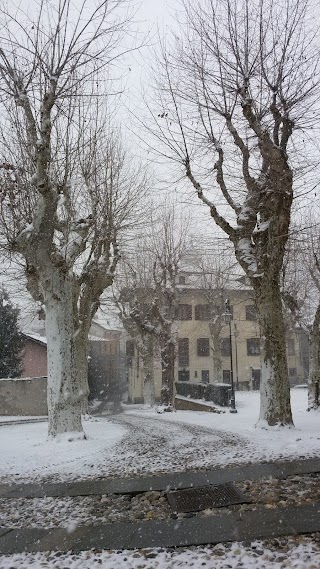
<point x="153" y="303"/>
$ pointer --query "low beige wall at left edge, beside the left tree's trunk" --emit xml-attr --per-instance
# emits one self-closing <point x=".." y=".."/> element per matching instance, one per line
<point x="23" y="396"/>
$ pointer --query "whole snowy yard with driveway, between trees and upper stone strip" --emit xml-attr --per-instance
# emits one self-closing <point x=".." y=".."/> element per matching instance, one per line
<point x="134" y="443"/>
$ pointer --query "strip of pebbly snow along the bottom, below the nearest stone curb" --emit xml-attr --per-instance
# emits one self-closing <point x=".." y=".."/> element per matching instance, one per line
<point x="229" y="556"/>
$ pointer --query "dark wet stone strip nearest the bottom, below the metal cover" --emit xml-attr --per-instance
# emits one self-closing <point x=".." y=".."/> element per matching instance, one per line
<point x="257" y="524"/>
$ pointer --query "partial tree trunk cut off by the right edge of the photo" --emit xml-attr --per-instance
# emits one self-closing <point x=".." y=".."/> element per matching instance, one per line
<point x="314" y="364"/>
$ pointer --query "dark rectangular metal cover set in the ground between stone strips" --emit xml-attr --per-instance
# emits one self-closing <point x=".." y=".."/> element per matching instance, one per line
<point x="195" y="499"/>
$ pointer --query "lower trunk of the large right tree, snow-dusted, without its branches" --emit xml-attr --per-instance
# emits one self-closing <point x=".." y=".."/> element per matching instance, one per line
<point x="275" y="405"/>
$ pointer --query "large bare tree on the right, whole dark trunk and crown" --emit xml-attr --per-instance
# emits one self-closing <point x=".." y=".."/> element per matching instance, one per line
<point x="241" y="84"/>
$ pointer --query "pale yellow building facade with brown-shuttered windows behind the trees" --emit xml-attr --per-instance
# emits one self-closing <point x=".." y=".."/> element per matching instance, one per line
<point x="197" y="359"/>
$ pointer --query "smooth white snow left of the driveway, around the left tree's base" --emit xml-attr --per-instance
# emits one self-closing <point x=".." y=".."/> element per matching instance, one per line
<point x="26" y="454"/>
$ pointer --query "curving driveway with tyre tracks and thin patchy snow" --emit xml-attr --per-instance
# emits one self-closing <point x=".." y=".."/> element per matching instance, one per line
<point x="155" y="446"/>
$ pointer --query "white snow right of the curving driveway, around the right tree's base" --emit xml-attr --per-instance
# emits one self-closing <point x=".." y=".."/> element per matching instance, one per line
<point x="266" y="444"/>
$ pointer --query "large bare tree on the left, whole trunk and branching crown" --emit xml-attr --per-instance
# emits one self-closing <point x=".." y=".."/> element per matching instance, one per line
<point x="67" y="188"/>
